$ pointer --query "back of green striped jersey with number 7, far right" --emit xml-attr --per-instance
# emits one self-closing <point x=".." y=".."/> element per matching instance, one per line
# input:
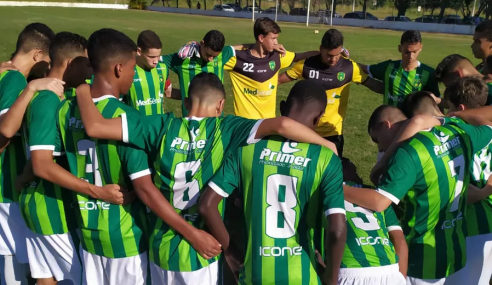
<point x="433" y="221"/>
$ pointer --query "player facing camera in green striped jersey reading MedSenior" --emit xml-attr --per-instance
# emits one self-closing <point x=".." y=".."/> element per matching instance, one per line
<point x="151" y="78"/>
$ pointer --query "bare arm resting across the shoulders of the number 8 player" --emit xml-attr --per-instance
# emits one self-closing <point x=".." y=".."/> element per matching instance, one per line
<point x="293" y="130"/>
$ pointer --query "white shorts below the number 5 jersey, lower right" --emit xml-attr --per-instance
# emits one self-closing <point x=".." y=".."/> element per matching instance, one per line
<point x="383" y="275"/>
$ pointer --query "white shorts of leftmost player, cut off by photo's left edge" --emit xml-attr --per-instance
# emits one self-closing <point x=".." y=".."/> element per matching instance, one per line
<point x="13" y="232"/>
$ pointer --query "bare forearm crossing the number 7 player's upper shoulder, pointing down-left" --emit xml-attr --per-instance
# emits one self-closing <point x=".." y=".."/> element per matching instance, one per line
<point x="411" y="127"/>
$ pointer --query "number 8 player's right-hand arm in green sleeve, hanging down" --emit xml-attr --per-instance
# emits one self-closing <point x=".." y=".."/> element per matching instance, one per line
<point x="333" y="206"/>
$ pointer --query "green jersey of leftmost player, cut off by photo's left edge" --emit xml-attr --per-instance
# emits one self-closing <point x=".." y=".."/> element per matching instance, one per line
<point x="13" y="158"/>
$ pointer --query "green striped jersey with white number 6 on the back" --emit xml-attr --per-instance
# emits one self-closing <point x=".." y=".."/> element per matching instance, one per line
<point x="186" y="152"/>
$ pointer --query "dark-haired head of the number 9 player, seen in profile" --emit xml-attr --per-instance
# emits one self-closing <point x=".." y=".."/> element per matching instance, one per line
<point x="112" y="55"/>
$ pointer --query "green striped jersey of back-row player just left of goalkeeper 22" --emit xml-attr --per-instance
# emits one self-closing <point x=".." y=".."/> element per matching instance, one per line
<point x="188" y="68"/>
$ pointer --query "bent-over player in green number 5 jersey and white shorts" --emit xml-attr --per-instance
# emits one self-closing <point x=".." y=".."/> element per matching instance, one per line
<point x="376" y="251"/>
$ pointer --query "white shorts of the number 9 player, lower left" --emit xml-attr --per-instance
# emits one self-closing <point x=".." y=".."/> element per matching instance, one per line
<point x="100" y="270"/>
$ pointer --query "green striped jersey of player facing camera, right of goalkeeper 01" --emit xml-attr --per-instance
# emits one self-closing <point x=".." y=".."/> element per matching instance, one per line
<point x="398" y="83"/>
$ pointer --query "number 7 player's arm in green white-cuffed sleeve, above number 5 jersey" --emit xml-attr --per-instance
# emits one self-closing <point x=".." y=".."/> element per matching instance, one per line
<point x="395" y="183"/>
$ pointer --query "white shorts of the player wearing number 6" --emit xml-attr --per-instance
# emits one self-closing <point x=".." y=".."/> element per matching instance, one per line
<point x="204" y="276"/>
